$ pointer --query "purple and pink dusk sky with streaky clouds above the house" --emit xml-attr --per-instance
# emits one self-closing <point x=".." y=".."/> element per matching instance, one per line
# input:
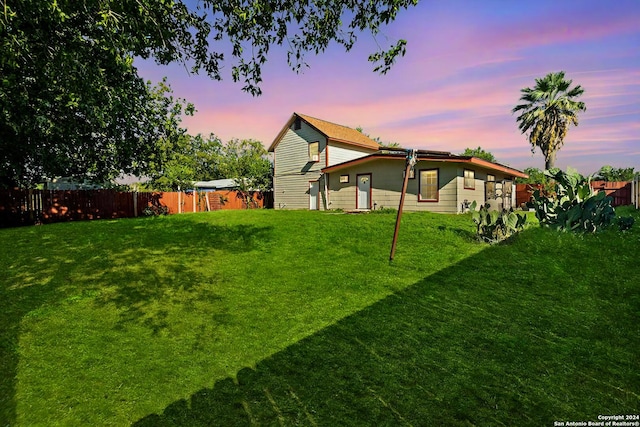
<point x="466" y="62"/>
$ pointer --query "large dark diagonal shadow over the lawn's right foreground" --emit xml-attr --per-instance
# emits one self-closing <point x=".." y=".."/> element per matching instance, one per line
<point x="473" y="344"/>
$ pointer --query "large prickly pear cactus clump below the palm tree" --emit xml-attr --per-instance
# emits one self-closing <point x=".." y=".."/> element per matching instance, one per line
<point x="572" y="205"/>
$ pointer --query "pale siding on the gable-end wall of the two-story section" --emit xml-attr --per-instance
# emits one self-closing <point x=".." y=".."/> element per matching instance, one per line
<point x="292" y="169"/>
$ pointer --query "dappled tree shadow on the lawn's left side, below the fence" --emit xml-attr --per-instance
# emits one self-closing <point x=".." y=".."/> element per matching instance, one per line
<point x="81" y="265"/>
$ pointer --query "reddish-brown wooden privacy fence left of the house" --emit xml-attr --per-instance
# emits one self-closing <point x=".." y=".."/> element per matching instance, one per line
<point x="24" y="207"/>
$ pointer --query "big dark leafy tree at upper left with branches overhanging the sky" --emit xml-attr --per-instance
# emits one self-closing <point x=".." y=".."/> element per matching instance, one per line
<point x="72" y="102"/>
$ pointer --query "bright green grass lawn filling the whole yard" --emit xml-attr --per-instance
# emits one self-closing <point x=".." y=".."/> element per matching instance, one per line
<point x="286" y="318"/>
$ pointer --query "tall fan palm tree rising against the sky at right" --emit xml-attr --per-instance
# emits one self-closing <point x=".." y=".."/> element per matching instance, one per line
<point x="548" y="110"/>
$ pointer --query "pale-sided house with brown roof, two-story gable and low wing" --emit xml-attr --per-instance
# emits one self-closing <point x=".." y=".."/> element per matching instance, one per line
<point x="321" y="165"/>
